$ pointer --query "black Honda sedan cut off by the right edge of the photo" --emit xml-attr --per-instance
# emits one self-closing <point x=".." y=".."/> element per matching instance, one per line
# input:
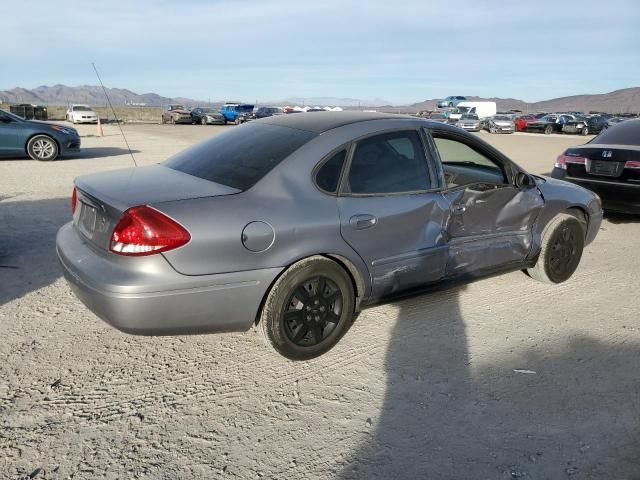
<point x="608" y="165"/>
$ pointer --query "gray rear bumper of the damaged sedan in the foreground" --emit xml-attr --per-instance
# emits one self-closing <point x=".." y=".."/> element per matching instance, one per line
<point x="146" y="296"/>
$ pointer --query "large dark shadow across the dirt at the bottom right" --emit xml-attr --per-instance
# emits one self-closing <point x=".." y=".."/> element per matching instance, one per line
<point x="545" y="412"/>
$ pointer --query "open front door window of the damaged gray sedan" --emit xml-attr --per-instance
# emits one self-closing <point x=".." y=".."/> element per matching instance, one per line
<point x="463" y="165"/>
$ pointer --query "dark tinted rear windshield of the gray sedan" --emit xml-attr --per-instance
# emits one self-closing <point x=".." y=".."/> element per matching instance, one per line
<point x="240" y="156"/>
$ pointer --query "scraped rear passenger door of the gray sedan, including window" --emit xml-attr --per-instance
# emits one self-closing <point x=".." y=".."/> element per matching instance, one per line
<point x="392" y="213"/>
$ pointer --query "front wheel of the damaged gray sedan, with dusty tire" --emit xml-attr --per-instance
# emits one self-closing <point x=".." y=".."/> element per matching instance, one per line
<point x="562" y="245"/>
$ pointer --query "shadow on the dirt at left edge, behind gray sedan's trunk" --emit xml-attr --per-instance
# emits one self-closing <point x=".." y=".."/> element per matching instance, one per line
<point x="27" y="244"/>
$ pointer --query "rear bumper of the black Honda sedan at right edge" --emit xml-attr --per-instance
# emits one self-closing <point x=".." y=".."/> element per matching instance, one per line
<point x="615" y="196"/>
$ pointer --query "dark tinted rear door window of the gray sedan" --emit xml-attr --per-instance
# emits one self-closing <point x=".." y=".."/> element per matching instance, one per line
<point x="389" y="163"/>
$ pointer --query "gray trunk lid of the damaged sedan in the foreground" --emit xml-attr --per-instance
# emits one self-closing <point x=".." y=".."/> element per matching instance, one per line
<point x="103" y="197"/>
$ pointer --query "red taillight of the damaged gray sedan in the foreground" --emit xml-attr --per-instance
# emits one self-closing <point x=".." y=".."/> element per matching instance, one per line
<point x="144" y="231"/>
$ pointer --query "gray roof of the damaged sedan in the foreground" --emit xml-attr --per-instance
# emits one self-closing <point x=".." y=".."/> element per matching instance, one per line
<point x="319" y="122"/>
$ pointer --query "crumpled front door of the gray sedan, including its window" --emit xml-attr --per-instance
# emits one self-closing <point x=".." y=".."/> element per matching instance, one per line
<point x="493" y="206"/>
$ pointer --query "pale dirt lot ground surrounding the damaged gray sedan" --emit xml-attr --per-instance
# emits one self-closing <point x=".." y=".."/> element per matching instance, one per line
<point x="422" y="388"/>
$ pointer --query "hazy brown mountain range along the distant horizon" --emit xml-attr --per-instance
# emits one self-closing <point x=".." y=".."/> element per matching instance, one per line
<point x="620" y="101"/>
